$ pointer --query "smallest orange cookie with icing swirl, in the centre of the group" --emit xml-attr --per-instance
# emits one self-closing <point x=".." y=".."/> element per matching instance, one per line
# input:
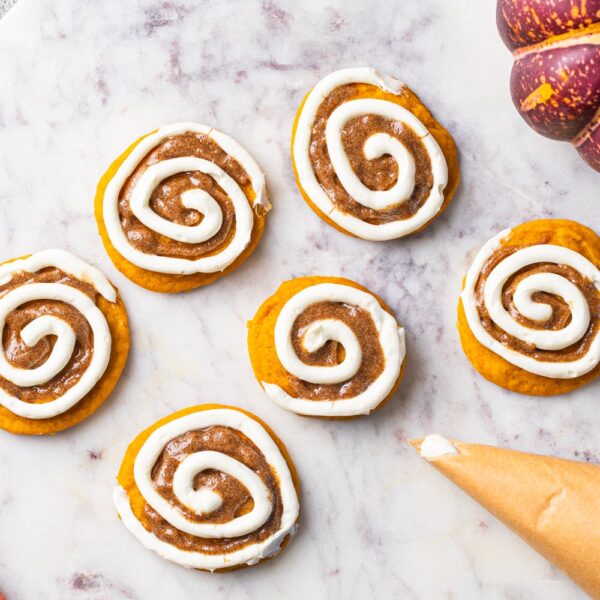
<point x="326" y="347"/>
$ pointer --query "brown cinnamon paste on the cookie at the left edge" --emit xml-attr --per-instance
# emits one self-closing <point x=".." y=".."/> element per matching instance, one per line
<point x="22" y="356"/>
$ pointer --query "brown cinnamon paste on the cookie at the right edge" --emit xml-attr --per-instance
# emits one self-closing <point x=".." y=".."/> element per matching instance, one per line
<point x="561" y="314"/>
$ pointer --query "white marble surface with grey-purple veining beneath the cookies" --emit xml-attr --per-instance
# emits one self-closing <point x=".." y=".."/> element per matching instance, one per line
<point x="80" y="80"/>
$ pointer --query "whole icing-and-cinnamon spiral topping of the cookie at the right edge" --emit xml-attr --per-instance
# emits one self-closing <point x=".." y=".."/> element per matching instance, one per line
<point x="538" y="307"/>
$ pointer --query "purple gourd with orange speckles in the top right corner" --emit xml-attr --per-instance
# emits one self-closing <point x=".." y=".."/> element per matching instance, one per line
<point x="555" y="80"/>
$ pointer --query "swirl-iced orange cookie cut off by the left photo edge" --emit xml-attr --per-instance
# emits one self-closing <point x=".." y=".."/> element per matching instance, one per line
<point x="65" y="339"/>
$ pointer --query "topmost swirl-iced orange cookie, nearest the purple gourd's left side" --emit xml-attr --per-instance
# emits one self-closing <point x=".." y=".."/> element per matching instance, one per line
<point x="369" y="157"/>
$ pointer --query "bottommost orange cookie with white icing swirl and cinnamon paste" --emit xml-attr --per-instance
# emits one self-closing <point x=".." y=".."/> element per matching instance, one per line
<point x="209" y="487"/>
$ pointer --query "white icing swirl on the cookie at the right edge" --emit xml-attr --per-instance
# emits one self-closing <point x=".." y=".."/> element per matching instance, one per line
<point x="551" y="283"/>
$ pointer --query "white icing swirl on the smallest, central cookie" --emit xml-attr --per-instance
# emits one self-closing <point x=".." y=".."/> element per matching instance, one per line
<point x="391" y="339"/>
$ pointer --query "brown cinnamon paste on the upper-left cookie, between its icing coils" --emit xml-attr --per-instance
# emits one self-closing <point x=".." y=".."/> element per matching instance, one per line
<point x="166" y="198"/>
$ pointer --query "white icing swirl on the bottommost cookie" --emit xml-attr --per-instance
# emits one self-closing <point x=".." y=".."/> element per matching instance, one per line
<point x="205" y="501"/>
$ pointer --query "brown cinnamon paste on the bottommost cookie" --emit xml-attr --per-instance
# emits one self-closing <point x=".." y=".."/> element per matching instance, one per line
<point x="236" y="498"/>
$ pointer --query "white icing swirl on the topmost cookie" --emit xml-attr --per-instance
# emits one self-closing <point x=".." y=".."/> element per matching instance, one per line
<point x="377" y="145"/>
